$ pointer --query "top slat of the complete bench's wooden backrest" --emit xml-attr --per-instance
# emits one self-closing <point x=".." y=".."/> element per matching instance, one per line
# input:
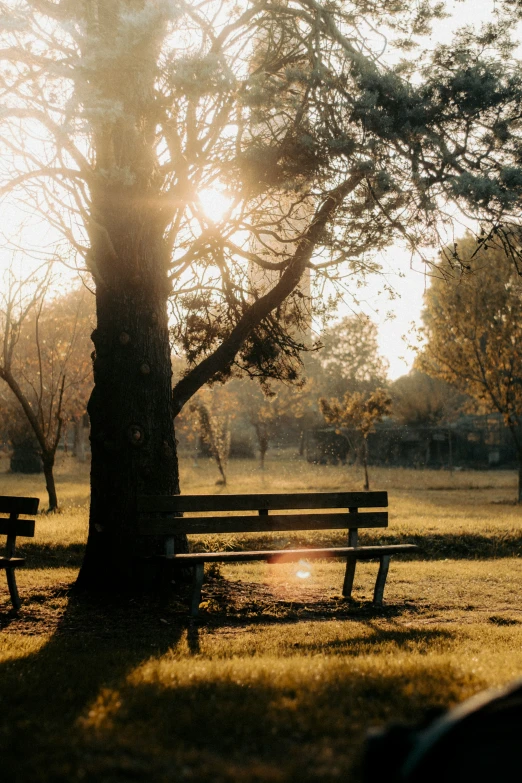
<point x="169" y="504"/>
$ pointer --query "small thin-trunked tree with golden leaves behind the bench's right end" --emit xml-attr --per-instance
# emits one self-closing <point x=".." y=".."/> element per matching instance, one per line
<point x="360" y="412"/>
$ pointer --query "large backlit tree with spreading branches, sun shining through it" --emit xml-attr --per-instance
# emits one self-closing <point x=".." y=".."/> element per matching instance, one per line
<point x="119" y="114"/>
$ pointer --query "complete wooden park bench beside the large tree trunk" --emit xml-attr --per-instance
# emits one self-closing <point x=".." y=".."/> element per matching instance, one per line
<point x="162" y="516"/>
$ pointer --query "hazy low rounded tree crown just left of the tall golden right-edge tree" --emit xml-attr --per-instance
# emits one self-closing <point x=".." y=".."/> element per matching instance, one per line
<point x="424" y="401"/>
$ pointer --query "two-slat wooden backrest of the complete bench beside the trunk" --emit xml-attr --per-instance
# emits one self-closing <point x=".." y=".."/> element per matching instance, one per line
<point x="161" y="514"/>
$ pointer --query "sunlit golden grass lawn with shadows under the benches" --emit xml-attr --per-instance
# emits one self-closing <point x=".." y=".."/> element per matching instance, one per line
<point x="280" y="678"/>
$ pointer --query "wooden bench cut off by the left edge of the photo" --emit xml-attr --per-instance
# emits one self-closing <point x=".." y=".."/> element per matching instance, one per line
<point x="11" y="526"/>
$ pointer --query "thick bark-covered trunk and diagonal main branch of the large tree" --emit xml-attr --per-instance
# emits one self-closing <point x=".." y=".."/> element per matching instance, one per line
<point x="131" y="408"/>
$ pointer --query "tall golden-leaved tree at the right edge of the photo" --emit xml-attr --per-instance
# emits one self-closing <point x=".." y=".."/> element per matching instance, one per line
<point x="473" y="331"/>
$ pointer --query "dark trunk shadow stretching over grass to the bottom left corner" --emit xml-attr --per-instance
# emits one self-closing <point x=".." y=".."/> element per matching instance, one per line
<point x="44" y="694"/>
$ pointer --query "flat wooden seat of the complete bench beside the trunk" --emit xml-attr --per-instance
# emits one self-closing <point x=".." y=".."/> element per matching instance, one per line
<point x="287" y="555"/>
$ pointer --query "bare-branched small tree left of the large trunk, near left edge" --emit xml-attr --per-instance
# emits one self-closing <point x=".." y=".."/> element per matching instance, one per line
<point x="45" y="361"/>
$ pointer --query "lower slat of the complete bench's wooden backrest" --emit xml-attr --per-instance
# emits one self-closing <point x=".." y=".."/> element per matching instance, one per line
<point x="170" y="526"/>
